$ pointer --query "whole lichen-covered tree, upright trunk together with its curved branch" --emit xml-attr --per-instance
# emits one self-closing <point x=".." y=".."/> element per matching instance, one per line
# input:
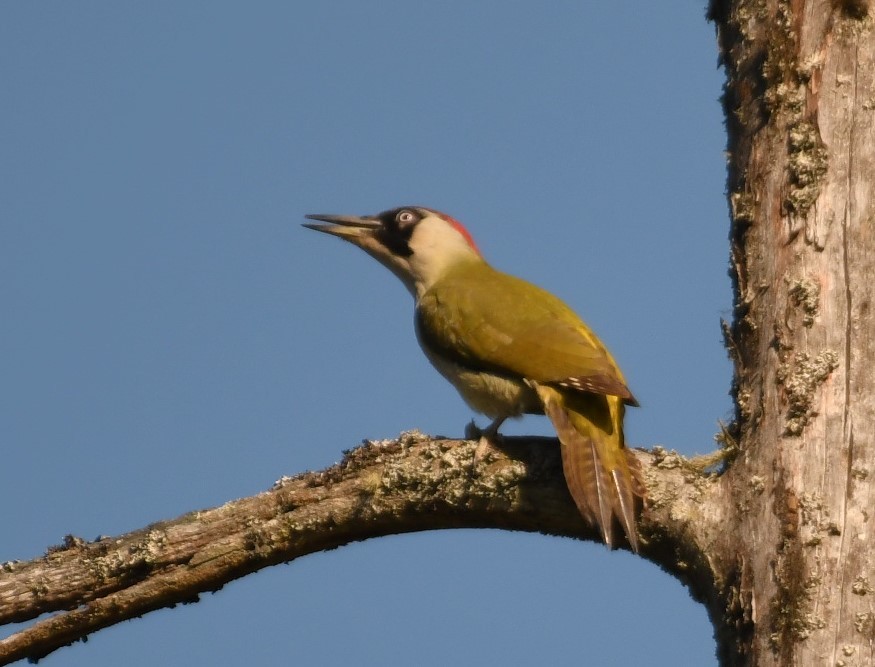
<point x="777" y="548"/>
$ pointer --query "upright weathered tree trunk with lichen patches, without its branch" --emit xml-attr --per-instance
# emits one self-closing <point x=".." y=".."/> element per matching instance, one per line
<point x="799" y="103"/>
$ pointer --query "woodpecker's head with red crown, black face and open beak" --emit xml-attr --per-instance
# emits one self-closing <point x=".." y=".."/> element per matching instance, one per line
<point x="419" y="245"/>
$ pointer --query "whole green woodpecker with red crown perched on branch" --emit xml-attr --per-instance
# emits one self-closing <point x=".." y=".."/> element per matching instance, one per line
<point x="510" y="348"/>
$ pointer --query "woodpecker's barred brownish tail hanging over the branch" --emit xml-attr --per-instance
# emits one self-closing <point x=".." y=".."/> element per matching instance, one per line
<point x="604" y="480"/>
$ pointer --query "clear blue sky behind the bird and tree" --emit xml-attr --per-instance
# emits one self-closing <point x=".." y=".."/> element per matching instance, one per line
<point x="172" y="338"/>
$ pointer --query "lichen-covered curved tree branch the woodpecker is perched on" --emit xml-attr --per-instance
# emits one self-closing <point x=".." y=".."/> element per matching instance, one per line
<point x="410" y="484"/>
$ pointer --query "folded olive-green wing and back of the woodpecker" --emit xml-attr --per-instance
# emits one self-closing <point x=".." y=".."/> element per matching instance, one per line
<point x="488" y="320"/>
